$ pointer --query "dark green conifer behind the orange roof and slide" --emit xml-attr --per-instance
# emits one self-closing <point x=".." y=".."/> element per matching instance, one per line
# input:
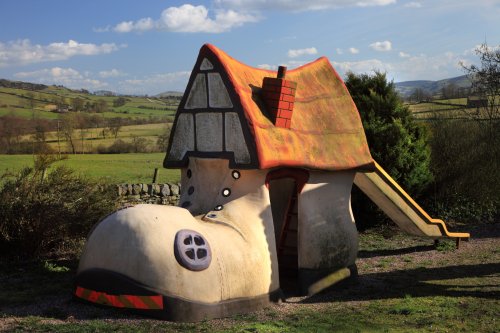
<point x="396" y="141"/>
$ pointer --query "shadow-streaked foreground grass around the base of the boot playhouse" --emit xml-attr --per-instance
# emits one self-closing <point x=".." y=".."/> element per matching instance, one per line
<point x="404" y="285"/>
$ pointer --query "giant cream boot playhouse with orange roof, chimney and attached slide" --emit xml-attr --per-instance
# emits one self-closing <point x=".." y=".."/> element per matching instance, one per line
<point x="267" y="165"/>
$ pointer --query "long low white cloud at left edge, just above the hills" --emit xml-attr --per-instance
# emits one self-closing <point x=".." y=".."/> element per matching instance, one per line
<point x="22" y="52"/>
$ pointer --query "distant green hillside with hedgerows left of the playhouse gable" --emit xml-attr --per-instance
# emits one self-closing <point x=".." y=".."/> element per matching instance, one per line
<point x="30" y="100"/>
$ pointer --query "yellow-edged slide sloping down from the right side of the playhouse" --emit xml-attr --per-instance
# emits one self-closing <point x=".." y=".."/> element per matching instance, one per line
<point x="400" y="207"/>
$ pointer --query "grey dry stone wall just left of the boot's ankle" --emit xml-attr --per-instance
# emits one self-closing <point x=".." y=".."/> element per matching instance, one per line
<point x="163" y="194"/>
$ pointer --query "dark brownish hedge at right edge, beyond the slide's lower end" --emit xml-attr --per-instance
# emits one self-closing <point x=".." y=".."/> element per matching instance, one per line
<point x="465" y="161"/>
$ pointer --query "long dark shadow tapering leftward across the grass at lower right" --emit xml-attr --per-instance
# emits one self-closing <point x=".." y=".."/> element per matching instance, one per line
<point x="418" y="282"/>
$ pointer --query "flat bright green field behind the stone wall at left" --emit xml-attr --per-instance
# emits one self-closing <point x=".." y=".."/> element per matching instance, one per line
<point x="114" y="168"/>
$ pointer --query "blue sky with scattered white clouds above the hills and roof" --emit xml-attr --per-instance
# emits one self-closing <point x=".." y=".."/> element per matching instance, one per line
<point x="150" y="46"/>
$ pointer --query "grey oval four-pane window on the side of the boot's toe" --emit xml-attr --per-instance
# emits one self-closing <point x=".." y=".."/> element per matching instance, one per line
<point x="192" y="250"/>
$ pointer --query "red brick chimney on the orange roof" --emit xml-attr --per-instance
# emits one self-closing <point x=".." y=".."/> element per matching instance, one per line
<point x="279" y="96"/>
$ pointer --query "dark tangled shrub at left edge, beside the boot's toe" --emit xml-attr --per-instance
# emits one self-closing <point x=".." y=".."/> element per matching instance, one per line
<point x="42" y="211"/>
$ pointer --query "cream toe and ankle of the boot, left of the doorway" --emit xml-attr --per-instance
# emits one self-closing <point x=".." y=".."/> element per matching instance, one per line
<point x="232" y="214"/>
